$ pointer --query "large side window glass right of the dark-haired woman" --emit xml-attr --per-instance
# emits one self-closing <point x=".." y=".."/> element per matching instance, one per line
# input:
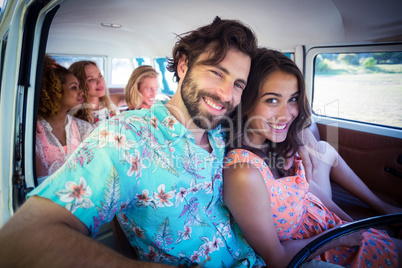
<point x="365" y="87"/>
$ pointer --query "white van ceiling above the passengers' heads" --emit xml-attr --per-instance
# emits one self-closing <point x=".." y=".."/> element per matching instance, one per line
<point x="149" y="27"/>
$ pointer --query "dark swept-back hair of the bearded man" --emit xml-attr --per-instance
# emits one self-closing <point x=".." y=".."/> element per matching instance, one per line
<point x="216" y="38"/>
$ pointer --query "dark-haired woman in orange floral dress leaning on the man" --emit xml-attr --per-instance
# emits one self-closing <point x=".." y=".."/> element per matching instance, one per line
<point x="273" y="207"/>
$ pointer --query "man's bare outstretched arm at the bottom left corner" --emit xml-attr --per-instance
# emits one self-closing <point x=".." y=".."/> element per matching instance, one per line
<point x="44" y="234"/>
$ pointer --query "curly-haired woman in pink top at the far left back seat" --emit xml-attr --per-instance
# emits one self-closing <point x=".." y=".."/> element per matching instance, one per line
<point x="58" y="133"/>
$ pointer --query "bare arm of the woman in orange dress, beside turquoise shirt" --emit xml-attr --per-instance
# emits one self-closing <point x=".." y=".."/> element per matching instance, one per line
<point x="247" y="197"/>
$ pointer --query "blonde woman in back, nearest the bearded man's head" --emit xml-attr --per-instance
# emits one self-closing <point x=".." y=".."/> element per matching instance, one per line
<point x="141" y="88"/>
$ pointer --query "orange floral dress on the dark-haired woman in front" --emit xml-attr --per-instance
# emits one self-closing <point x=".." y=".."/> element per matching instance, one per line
<point x="299" y="214"/>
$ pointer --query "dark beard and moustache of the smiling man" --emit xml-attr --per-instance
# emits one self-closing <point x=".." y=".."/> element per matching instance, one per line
<point x="192" y="95"/>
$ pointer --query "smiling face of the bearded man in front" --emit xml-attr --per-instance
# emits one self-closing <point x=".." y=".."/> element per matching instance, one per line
<point x="210" y="93"/>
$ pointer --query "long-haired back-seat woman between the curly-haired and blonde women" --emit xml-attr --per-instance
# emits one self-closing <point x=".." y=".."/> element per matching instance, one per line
<point x="97" y="106"/>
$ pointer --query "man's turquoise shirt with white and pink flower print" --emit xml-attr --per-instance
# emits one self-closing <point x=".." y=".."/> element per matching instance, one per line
<point x="145" y="167"/>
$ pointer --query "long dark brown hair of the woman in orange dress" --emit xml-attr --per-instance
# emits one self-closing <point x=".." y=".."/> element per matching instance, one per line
<point x="263" y="65"/>
